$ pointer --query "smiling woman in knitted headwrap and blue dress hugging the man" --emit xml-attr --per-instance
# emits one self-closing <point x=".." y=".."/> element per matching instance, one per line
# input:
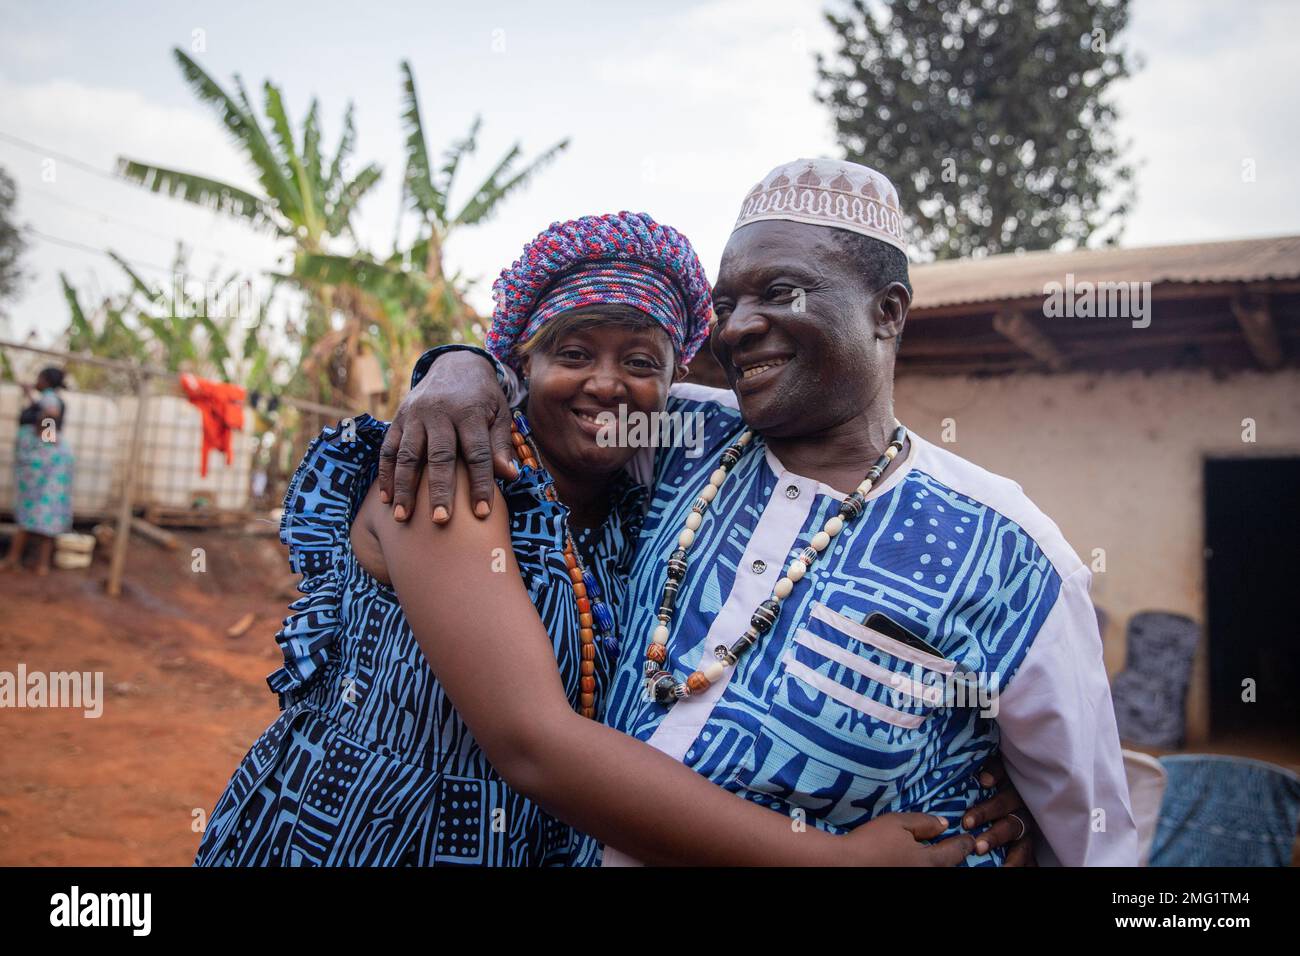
<point x="380" y="759"/>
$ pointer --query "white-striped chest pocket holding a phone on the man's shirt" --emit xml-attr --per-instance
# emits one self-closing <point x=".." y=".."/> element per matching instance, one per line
<point x="855" y="721"/>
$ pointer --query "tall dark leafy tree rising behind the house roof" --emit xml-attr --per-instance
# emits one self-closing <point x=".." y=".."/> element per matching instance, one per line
<point x="991" y="116"/>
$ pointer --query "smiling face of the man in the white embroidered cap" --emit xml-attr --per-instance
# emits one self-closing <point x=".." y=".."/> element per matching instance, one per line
<point x="804" y="338"/>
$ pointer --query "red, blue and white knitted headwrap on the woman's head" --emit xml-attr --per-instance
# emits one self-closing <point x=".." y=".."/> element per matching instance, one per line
<point x="621" y="258"/>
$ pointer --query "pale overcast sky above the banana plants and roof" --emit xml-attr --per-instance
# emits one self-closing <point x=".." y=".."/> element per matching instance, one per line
<point x="674" y="109"/>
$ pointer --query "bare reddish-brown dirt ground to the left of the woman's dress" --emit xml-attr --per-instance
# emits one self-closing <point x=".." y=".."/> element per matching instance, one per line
<point x="183" y="702"/>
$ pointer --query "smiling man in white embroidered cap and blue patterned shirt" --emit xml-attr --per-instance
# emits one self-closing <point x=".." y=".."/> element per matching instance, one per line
<point x="837" y="618"/>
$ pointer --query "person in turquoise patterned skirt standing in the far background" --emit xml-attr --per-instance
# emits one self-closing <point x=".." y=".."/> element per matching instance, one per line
<point x="44" y="466"/>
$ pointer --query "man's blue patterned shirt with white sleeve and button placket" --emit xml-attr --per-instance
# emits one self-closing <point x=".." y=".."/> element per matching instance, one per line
<point x="831" y="719"/>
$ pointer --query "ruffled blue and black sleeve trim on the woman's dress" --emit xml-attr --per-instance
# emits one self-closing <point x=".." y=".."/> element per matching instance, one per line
<point x="320" y="505"/>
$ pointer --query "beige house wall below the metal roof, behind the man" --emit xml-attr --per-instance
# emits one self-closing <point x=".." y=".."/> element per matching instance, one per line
<point x="1117" y="461"/>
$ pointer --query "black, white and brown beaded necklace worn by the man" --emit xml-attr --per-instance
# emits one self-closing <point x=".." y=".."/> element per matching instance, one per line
<point x="661" y="685"/>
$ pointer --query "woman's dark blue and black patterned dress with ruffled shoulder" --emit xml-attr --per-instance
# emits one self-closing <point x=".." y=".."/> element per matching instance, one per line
<point x="369" y="763"/>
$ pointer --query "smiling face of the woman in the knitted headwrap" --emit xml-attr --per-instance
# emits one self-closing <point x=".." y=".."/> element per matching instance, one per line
<point x="593" y="366"/>
